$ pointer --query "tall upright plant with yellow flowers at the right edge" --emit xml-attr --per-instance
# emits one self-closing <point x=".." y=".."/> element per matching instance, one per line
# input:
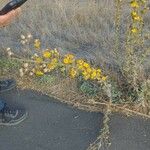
<point x="136" y="52"/>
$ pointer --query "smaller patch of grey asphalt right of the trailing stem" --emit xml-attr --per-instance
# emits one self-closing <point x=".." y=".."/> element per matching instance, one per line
<point x="129" y="133"/>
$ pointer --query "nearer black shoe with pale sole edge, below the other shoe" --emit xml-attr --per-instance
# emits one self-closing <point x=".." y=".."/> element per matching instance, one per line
<point x="10" y="117"/>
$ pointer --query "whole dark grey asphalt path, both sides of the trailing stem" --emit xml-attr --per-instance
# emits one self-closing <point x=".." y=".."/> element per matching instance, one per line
<point x="55" y="126"/>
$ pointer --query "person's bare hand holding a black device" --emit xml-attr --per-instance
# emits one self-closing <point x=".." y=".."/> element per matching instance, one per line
<point x="9" y="17"/>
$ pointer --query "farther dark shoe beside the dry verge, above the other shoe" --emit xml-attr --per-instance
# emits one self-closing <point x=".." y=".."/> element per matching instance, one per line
<point x="6" y="85"/>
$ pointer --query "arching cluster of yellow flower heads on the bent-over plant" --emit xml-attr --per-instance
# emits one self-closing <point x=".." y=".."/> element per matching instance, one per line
<point x="48" y="60"/>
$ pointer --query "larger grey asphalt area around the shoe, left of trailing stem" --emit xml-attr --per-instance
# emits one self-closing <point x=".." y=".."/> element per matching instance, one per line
<point x="50" y="125"/>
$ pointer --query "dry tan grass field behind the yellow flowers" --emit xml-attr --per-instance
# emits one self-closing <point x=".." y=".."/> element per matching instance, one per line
<point x="83" y="27"/>
